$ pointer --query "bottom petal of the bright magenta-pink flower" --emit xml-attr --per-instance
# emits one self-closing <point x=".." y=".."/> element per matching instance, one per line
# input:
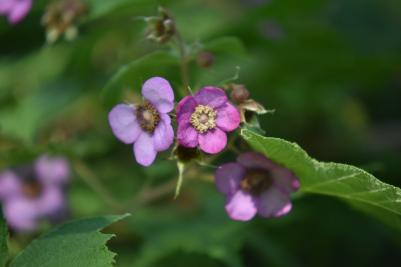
<point x="213" y="141"/>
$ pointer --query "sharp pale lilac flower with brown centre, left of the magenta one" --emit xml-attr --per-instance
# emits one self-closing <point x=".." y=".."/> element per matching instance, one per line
<point x="148" y="125"/>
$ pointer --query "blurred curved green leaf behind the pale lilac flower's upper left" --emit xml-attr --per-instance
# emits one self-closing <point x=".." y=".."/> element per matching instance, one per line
<point x="132" y="75"/>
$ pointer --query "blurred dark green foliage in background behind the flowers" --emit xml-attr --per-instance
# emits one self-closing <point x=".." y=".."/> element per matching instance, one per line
<point x="331" y="69"/>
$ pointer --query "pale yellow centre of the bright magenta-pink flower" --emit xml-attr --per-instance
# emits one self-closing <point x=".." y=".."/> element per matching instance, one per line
<point x="203" y="118"/>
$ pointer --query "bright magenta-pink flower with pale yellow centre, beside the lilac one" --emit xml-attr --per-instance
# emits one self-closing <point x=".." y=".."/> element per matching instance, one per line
<point x="204" y="119"/>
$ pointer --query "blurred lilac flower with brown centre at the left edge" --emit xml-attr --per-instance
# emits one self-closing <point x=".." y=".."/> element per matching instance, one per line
<point x="32" y="193"/>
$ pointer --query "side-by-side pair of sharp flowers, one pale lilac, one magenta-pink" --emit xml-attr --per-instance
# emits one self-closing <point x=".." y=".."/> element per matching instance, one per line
<point x="203" y="120"/>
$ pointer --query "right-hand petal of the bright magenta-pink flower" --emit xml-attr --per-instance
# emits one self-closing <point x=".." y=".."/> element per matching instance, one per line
<point x="228" y="117"/>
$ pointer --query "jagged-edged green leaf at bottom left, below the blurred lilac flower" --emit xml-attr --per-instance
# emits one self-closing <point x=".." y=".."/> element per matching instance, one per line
<point x="77" y="243"/>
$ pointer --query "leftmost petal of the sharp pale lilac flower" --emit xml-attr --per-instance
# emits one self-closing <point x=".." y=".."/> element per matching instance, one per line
<point x="123" y="123"/>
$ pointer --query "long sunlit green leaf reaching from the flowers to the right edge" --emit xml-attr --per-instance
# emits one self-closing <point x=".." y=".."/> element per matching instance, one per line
<point x="361" y="189"/>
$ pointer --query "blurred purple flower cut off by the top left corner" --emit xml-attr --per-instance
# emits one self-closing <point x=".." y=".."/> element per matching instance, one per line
<point x="15" y="10"/>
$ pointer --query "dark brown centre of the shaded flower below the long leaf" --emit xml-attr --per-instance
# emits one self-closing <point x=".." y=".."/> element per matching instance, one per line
<point x="256" y="181"/>
